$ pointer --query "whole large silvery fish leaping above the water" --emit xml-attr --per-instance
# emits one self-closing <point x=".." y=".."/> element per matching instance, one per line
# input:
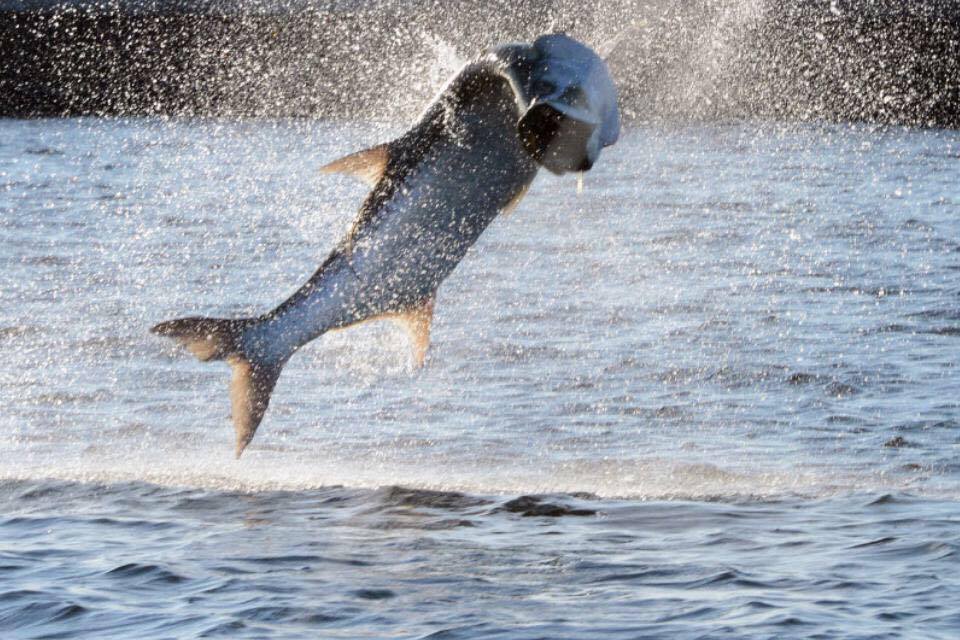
<point x="471" y="156"/>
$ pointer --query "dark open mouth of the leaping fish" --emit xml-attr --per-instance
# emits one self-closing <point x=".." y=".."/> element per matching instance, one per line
<point x="556" y="138"/>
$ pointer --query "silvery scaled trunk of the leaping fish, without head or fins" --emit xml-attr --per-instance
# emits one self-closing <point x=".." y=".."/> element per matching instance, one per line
<point x="441" y="188"/>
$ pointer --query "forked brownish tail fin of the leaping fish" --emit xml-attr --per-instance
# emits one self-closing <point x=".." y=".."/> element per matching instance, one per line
<point x="253" y="379"/>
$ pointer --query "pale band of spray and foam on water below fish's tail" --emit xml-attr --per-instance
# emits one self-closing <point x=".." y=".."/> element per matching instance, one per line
<point x="619" y="479"/>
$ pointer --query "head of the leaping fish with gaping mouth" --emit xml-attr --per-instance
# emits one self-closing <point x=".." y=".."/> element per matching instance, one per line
<point x="572" y="111"/>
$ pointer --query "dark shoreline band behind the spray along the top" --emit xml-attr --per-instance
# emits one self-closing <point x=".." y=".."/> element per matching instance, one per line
<point x="786" y="60"/>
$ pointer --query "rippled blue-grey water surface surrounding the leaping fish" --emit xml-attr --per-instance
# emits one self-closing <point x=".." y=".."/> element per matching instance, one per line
<point x="716" y="395"/>
